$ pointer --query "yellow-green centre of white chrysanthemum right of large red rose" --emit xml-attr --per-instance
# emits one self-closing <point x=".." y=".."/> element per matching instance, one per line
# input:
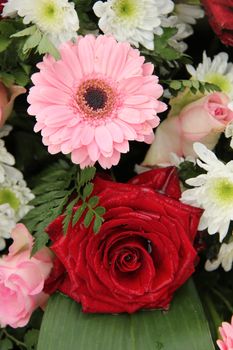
<point x="222" y="191"/>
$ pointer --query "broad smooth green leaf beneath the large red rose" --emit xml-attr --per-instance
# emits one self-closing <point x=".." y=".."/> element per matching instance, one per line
<point x="183" y="327"/>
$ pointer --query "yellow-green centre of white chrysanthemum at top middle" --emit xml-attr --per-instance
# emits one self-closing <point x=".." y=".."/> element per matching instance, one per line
<point x="126" y="9"/>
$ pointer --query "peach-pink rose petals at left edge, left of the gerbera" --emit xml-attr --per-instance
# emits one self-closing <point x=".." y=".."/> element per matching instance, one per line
<point x="7" y="98"/>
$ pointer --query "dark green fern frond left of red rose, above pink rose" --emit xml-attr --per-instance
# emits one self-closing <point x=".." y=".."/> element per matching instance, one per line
<point x="56" y="185"/>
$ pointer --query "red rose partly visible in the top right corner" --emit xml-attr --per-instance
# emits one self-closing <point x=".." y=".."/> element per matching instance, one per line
<point x="221" y="18"/>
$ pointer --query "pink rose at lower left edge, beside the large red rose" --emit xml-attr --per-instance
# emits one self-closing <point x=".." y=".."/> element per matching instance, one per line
<point x="22" y="279"/>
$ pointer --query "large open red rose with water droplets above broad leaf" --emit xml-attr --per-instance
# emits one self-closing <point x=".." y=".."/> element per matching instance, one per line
<point x="142" y="253"/>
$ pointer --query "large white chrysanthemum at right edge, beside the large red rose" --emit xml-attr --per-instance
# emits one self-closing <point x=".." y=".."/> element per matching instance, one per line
<point x="213" y="192"/>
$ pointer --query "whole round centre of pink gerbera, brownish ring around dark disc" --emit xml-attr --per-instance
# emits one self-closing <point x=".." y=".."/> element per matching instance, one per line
<point x="95" y="98"/>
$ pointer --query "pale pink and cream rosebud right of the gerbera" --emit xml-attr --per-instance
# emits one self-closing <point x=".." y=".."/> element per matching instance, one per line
<point x="203" y="120"/>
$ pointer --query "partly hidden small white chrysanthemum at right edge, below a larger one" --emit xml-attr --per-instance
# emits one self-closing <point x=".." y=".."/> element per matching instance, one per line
<point x="224" y="258"/>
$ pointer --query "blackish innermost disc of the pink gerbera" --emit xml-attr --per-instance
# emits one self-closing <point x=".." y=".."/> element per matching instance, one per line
<point x="96" y="98"/>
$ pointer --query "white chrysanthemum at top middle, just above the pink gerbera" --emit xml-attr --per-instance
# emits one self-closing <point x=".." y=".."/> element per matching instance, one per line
<point x="134" y="21"/>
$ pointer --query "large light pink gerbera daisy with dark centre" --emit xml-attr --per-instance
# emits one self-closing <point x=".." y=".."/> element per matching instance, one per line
<point x="96" y="98"/>
